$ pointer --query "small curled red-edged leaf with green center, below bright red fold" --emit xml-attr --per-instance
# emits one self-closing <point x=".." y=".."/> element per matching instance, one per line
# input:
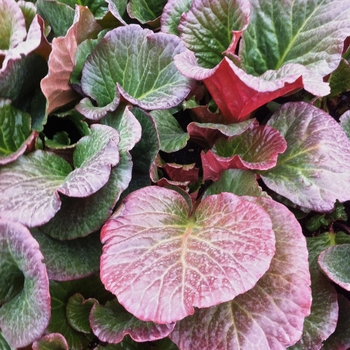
<point x="241" y="152"/>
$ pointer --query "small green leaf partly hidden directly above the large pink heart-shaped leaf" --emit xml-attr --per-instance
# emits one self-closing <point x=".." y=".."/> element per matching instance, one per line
<point x="239" y="182"/>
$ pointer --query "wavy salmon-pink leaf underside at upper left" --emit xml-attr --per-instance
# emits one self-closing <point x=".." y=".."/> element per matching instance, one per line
<point x="55" y="85"/>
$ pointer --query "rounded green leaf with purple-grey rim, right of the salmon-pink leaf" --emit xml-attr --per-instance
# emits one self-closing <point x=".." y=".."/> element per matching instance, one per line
<point x="140" y="67"/>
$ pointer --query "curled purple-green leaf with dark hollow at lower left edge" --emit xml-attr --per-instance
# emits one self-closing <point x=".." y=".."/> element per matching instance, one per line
<point x="26" y="315"/>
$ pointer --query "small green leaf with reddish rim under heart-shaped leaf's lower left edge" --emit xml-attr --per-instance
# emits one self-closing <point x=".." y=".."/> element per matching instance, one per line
<point x="110" y="323"/>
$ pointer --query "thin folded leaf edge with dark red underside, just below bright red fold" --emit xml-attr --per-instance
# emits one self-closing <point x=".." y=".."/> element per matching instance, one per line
<point x="209" y="132"/>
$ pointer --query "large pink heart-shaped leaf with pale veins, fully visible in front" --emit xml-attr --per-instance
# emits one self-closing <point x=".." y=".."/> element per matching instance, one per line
<point x="160" y="263"/>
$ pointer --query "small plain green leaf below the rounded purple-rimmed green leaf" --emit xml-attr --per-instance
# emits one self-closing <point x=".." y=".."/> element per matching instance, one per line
<point x="172" y="137"/>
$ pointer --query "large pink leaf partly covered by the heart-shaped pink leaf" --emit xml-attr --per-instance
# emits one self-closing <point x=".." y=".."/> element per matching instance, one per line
<point x="270" y="315"/>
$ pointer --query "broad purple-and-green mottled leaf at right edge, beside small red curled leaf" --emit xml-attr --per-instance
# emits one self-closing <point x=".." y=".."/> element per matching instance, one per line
<point x="314" y="171"/>
